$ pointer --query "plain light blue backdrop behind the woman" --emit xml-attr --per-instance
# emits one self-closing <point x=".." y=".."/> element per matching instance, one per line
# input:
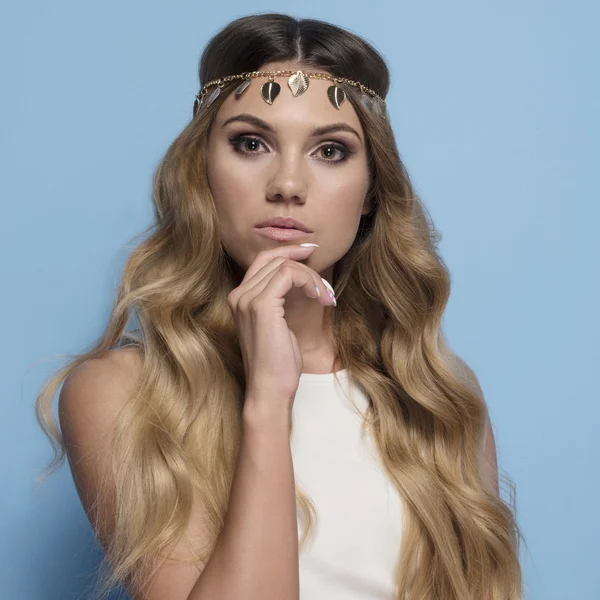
<point x="495" y="109"/>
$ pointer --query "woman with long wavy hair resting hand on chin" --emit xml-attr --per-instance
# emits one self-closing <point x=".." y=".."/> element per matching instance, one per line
<point x="251" y="390"/>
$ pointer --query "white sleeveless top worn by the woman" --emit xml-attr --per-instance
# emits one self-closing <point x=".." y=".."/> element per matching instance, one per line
<point x="357" y="538"/>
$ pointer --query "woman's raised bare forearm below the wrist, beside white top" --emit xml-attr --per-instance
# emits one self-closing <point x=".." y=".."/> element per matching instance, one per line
<point x="256" y="556"/>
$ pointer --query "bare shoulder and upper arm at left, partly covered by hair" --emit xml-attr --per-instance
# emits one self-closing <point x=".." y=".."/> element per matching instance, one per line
<point x="89" y="405"/>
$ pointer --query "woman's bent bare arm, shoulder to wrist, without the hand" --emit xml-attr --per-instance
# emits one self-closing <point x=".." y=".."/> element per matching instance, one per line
<point x="256" y="555"/>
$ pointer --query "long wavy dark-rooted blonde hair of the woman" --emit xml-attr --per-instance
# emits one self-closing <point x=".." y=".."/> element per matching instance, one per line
<point x="179" y="433"/>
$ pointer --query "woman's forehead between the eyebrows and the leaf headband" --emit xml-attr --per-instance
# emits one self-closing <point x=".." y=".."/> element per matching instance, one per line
<point x="311" y="109"/>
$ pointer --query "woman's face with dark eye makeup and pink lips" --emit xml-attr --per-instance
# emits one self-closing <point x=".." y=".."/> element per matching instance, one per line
<point x="277" y="166"/>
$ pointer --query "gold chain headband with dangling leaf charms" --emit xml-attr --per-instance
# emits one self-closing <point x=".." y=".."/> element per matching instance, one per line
<point x="297" y="80"/>
